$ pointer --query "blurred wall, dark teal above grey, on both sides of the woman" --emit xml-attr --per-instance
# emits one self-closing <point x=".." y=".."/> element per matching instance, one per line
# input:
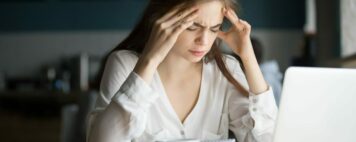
<point x="43" y="32"/>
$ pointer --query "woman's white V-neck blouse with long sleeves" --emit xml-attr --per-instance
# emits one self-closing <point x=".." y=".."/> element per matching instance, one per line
<point x="129" y="109"/>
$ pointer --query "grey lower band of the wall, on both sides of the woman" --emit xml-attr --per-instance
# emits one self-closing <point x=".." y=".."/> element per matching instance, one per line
<point x="23" y="54"/>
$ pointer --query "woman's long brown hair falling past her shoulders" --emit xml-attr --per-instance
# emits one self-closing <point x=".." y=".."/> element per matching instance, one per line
<point x="137" y="39"/>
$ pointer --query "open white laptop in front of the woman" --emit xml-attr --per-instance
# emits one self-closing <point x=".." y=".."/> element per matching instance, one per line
<point x="317" y="105"/>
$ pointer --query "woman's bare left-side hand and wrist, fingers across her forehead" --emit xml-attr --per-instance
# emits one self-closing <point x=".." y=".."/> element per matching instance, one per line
<point x="164" y="34"/>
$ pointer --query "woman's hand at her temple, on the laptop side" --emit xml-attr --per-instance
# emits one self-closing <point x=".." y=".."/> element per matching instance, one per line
<point x="238" y="36"/>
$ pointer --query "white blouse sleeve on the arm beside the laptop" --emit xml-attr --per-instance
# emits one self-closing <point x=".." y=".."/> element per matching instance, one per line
<point x="252" y="118"/>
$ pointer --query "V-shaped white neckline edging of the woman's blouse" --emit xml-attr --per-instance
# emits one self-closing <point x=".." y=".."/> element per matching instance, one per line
<point x="169" y="105"/>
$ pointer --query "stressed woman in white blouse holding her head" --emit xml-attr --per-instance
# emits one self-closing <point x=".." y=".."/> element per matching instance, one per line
<point x="171" y="82"/>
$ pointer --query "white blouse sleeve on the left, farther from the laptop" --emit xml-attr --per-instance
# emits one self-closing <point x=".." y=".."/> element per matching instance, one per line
<point x="120" y="111"/>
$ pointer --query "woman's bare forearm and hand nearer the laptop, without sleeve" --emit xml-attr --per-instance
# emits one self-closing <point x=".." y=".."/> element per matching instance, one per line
<point x="238" y="39"/>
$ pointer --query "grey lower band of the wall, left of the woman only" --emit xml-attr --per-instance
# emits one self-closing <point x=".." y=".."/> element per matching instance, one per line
<point x="23" y="54"/>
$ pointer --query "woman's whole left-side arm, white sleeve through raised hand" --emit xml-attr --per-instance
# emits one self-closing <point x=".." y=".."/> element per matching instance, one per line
<point x="124" y="118"/>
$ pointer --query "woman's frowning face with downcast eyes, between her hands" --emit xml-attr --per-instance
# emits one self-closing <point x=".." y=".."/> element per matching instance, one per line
<point x="197" y="40"/>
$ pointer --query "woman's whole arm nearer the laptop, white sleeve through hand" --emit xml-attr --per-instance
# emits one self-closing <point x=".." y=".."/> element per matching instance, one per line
<point x="251" y="119"/>
